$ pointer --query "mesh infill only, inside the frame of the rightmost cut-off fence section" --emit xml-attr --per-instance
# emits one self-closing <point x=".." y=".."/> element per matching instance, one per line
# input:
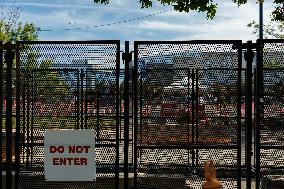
<point x="271" y="130"/>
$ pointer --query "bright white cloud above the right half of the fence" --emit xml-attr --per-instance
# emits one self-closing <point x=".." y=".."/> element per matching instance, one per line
<point x="229" y="23"/>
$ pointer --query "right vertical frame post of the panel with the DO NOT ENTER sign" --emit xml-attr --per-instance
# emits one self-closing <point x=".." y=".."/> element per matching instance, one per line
<point x="117" y="115"/>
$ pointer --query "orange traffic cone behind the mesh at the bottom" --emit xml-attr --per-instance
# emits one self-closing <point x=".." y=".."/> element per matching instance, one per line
<point x="210" y="176"/>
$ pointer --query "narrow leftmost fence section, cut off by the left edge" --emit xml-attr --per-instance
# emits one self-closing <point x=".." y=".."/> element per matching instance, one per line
<point x="8" y="115"/>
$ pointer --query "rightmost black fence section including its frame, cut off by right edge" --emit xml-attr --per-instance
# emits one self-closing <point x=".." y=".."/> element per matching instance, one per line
<point x="269" y="143"/>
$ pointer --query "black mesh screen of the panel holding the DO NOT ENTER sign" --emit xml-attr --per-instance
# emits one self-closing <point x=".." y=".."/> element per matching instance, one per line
<point x="68" y="85"/>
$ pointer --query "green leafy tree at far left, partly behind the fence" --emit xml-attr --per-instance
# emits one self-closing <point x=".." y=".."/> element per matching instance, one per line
<point x="12" y="30"/>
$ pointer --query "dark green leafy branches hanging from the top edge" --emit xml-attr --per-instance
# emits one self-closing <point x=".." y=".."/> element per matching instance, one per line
<point x="207" y="6"/>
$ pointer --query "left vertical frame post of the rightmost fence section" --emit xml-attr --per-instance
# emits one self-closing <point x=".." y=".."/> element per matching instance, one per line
<point x="258" y="110"/>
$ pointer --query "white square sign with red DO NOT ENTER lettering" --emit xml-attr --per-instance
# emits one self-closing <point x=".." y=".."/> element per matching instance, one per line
<point x="69" y="155"/>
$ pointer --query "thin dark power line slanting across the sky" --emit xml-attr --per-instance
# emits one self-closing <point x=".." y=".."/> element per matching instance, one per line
<point x="102" y="25"/>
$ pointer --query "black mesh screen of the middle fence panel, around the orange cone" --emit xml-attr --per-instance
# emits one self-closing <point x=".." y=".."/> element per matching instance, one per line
<point x="188" y="112"/>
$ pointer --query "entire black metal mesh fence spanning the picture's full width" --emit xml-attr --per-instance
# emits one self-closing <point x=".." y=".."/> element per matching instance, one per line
<point x="156" y="118"/>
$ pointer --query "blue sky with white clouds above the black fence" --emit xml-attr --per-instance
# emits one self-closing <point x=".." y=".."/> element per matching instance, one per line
<point x="230" y="21"/>
